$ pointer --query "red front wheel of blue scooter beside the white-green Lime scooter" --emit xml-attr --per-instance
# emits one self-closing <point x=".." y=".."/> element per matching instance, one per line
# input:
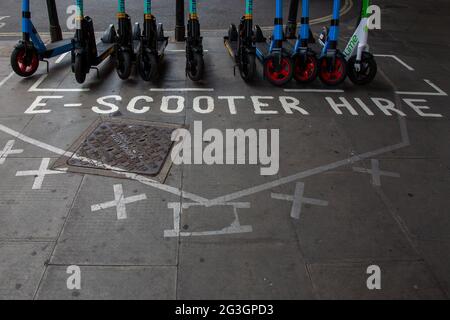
<point x="332" y="71"/>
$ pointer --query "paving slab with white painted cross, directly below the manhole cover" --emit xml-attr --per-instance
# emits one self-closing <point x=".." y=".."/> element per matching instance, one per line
<point x="99" y="238"/>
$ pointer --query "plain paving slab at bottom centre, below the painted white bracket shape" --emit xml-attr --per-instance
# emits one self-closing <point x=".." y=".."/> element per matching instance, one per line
<point x="258" y="270"/>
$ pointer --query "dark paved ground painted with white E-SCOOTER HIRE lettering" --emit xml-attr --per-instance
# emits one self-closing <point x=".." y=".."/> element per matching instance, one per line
<point x="362" y="183"/>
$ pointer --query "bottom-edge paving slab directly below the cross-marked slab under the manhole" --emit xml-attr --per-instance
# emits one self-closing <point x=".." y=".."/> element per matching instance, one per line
<point x="110" y="283"/>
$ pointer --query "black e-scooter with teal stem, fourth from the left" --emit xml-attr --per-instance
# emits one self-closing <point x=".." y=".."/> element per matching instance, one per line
<point x="152" y="45"/>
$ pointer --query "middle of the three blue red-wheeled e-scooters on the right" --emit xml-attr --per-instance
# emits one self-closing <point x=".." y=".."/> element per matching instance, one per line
<point x="306" y="64"/>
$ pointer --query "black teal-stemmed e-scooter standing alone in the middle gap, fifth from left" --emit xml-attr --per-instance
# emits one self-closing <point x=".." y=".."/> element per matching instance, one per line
<point x="195" y="64"/>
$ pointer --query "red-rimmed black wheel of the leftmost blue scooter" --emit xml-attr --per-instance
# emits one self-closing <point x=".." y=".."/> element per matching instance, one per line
<point x="24" y="61"/>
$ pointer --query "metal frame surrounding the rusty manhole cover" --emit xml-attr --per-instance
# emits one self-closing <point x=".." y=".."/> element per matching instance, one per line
<point x="63" y="161"/>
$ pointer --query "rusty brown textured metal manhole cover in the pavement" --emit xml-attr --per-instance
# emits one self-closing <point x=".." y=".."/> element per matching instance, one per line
<point x="111" y="146"/>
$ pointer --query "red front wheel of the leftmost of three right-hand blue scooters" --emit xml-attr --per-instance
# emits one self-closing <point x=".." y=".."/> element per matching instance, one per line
<point x="278" y="70"/>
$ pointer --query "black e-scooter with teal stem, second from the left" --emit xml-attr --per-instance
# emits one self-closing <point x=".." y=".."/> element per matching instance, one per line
<point x="88" y="54"/>
